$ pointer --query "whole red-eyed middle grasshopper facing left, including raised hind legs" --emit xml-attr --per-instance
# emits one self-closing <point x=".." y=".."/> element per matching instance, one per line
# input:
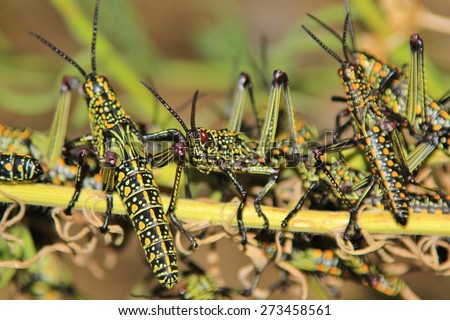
<point x="226" y="151"/>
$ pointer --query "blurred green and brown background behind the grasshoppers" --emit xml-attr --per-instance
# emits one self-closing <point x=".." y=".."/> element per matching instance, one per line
<point x="182" y="46"/>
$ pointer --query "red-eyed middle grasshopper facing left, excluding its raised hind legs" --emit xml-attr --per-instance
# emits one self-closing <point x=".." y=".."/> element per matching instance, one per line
<point x="222" y="151"/>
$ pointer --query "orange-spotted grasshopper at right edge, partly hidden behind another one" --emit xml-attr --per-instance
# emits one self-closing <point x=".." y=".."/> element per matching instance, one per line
<point x="403" y="95"/>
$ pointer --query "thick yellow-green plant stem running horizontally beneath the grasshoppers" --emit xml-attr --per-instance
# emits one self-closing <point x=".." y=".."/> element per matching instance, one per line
<point x="219" y="213"/>
